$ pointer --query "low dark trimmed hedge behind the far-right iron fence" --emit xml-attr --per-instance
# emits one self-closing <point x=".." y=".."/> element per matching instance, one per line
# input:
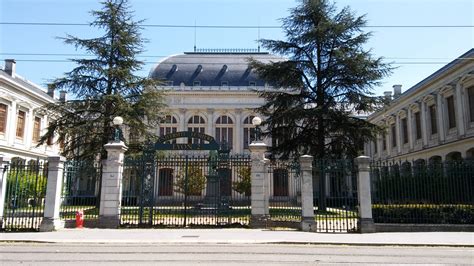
<point x="423" y="214"/>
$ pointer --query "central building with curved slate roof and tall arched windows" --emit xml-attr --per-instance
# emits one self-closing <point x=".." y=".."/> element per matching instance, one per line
<point x="212" y="92"/>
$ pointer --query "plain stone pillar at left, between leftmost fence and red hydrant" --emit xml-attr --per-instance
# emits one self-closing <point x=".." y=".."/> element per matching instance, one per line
<point x="52" y="204"/>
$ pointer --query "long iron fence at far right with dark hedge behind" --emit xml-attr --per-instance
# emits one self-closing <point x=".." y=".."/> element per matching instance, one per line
<point x="418" y="192"/>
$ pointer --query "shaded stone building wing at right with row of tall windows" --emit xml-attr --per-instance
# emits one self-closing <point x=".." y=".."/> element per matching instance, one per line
<point x="433" y="120"/>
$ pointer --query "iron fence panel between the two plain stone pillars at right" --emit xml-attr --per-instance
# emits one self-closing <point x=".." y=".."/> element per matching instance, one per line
<point x="335" y="195"/>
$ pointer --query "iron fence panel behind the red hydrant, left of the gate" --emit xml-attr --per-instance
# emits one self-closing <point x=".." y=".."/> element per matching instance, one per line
<point x="81" y="190"/>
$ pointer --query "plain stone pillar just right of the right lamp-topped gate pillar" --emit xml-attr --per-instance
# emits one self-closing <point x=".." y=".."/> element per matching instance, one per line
<point x="307" y="207"/>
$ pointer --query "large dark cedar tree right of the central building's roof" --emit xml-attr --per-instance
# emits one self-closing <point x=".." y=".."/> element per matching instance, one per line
<point x="326" y="81"/>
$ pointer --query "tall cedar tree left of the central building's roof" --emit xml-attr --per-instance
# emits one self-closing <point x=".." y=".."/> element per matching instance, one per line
<point x="105" y="86"/>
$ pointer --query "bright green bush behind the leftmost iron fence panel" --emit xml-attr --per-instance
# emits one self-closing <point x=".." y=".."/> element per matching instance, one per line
<point x="24" y="186"/>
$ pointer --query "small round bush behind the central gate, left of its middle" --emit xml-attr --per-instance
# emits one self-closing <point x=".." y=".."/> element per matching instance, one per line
<point x="193" y="184"/>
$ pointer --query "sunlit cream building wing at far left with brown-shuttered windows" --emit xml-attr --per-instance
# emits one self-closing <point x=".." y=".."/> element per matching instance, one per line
<point x="22" y="122"/>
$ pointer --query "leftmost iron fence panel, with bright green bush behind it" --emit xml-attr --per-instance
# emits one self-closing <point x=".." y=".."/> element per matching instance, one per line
<point x="25" y="194"/>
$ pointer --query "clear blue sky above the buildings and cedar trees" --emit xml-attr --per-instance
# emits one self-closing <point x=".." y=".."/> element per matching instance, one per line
<point x="416" y="52"/>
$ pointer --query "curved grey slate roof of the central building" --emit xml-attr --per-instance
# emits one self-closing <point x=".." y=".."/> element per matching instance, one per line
<point x="210" y="69"/>
